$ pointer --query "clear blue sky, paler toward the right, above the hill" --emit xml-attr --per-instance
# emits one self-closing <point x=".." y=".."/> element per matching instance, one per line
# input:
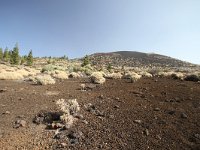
<point x="80" y="27"/>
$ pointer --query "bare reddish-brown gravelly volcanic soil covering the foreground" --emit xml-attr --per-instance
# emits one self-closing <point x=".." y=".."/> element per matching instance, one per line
<point x="155" y="113"/>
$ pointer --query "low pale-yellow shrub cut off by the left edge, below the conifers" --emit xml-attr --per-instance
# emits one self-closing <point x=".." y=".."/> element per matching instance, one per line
<point x="4" y="75"/>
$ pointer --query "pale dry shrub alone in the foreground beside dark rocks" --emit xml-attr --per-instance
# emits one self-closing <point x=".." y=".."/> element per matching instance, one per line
<point x="68" y="108"/>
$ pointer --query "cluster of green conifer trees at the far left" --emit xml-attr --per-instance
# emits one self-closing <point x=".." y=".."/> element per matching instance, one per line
<point x="13" y="56"/>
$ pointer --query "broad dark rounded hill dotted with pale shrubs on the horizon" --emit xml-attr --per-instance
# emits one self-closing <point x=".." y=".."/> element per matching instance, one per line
<point x="137" y="59"/>
